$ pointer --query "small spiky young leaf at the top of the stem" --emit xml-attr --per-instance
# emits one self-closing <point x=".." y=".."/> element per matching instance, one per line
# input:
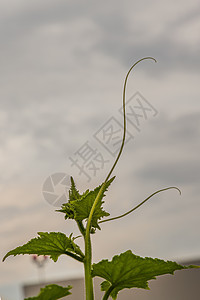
<point x="79" y="209"/>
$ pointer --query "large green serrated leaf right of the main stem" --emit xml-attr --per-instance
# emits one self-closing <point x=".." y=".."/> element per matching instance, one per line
<point x="128" y="270"/>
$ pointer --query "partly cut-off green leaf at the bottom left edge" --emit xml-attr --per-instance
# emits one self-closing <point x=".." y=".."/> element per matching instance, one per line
<point x="51" y="292"/>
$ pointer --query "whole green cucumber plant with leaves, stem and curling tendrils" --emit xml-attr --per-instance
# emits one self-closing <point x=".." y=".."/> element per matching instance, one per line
<point x="126" y="270"/>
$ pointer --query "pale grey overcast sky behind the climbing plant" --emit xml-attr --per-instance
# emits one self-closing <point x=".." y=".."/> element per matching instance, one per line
<point x="63" y="65"/>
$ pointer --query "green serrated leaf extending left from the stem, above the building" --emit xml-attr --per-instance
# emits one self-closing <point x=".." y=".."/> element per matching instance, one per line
<point x="53" y="244"/>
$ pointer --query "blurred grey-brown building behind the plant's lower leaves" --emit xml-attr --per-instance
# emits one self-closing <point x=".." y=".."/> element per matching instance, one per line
<point x="184" y="285"/>
